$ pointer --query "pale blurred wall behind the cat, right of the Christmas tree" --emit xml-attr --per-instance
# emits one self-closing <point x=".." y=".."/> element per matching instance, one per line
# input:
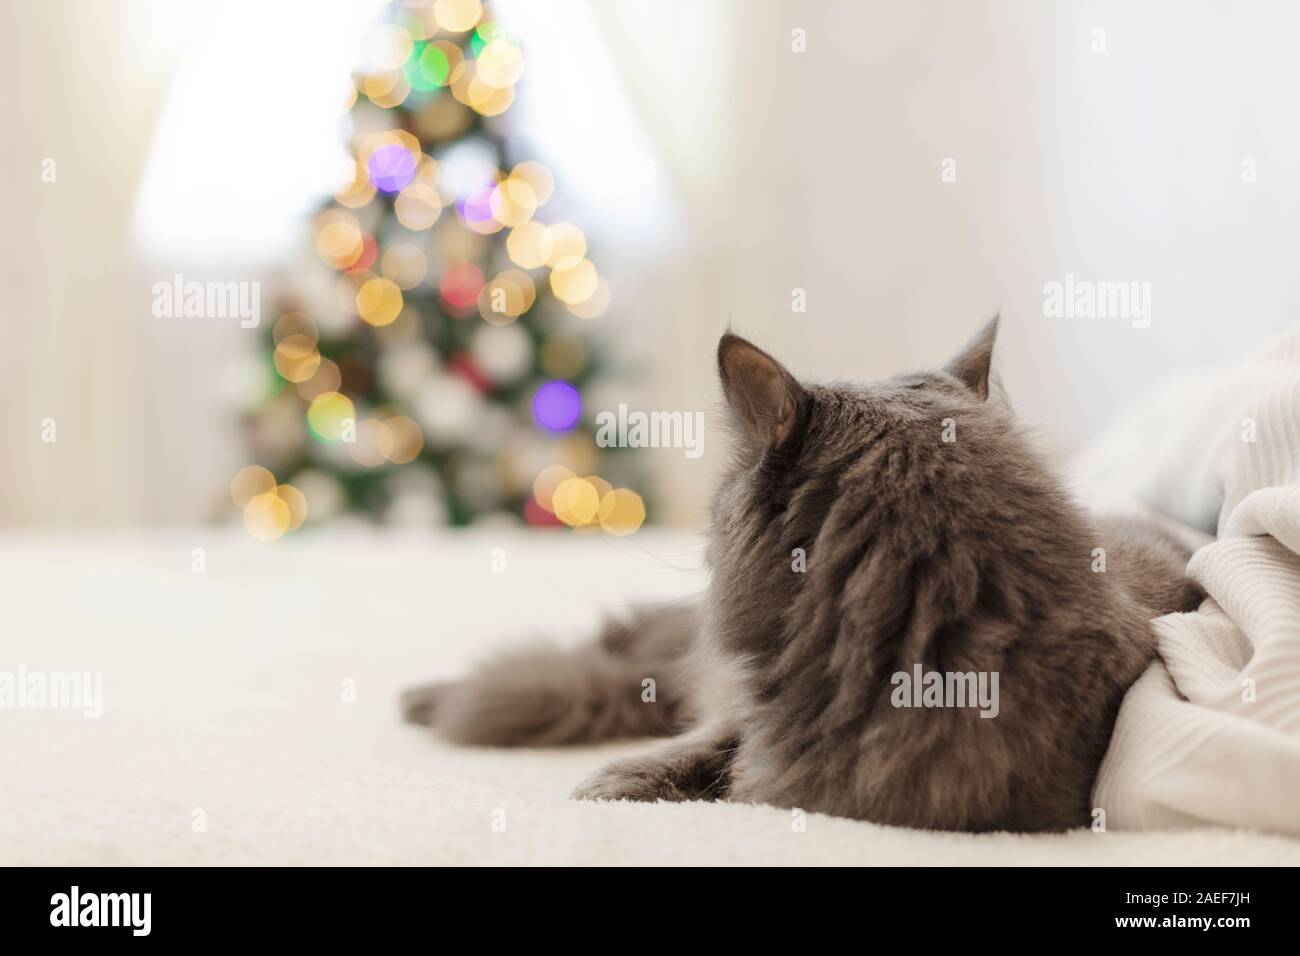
<point x="1124" y="165"/>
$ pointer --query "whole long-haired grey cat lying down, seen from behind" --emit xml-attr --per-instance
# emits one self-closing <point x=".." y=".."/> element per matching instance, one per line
<point x="961" y="555"/>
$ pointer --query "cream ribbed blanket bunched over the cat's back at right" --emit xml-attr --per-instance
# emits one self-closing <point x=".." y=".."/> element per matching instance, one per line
<point x="1211" y="734"/>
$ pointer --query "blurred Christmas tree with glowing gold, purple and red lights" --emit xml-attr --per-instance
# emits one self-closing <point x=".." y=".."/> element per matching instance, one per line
<point x="440" y="378"/>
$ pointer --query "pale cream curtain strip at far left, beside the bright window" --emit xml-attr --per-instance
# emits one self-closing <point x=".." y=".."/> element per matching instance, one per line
<point x="85" y="85"/>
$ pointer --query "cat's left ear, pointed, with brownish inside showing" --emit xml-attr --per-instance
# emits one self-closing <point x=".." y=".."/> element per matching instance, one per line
<point x="762" y="396"/>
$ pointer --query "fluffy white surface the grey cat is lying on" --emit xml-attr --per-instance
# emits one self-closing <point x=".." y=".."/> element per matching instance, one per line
<point x="228" y="737"/>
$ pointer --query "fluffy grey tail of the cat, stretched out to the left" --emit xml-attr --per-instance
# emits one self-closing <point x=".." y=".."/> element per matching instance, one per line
<point x="629" y="684"/>
